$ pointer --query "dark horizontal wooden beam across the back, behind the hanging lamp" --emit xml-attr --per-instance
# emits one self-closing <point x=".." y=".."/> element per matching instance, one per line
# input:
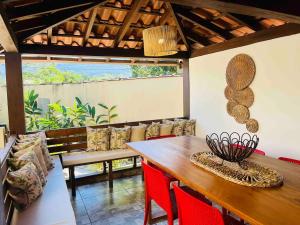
<point x="91" y="51"/>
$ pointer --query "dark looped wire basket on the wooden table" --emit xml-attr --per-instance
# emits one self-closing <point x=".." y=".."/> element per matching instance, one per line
<point x="232" y="147"/>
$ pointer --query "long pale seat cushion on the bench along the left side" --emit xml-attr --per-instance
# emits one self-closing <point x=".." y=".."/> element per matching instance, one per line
<point x="52" y="207"/>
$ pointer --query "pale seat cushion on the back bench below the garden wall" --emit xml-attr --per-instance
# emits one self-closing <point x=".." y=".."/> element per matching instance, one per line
<point x="79" y="158"/>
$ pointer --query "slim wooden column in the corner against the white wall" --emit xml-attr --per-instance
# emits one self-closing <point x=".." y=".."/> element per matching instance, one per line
<point x="186" y="88"/>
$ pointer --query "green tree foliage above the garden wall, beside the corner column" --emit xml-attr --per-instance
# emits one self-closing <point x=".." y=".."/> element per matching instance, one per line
<point x="147" y="71"/>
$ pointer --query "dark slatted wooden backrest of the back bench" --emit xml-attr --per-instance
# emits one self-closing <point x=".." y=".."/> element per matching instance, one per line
<point x="66" y="140"/>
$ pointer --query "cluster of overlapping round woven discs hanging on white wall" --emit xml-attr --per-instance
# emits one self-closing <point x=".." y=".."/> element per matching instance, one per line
<point x="240" y="73"/>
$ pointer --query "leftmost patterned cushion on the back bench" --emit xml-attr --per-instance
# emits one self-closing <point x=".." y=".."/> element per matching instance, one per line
<point x="97" y="139"/>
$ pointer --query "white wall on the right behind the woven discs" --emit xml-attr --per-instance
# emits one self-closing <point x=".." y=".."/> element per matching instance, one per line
<point x="276" y="88"/>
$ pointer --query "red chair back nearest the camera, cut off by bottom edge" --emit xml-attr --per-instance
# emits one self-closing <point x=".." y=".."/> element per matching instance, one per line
<point x="192" y="211"/>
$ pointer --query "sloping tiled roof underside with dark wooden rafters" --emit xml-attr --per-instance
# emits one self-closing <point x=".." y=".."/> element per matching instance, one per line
<point x="120" y="23"/>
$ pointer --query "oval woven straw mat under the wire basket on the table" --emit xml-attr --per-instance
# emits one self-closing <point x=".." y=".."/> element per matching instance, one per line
<point x="254" y="176"/>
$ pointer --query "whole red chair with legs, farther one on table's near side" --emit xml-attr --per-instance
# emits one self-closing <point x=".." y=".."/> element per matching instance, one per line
<point x="157" y="188"/>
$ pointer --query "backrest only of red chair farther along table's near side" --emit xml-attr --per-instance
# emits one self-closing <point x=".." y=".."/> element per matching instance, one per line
<point x="157" y="187"/>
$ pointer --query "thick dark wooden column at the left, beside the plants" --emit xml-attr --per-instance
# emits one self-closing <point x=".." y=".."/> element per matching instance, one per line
<point x="15" y="96"/>
